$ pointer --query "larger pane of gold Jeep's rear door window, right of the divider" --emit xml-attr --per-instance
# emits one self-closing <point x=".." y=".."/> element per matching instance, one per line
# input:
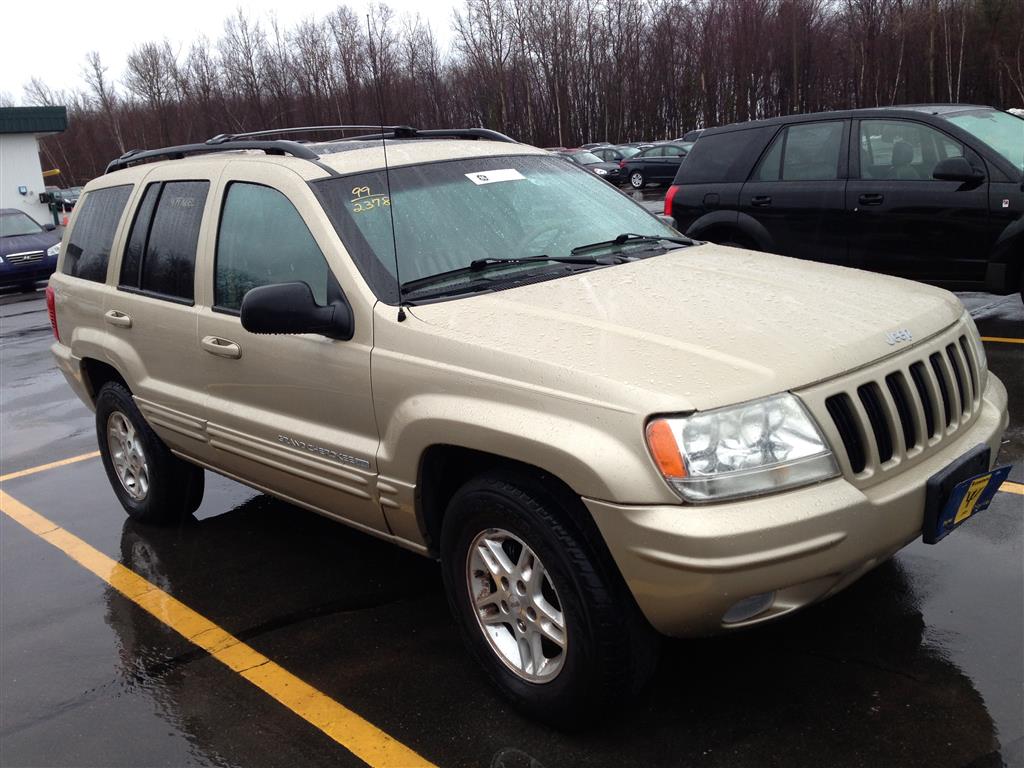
<point x="169" y="263"/>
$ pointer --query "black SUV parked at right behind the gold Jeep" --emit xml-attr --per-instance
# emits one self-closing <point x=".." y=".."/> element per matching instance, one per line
<point x="930" y="193"/>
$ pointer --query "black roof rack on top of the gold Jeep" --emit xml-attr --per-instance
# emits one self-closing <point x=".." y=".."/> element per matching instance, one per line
<point x="251" y="141"/>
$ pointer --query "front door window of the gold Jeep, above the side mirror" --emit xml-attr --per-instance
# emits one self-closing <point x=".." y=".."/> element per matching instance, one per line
<point x="263" y="241"/>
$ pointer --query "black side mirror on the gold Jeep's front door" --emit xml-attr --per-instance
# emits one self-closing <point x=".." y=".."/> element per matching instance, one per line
<point x="291" y="309"/>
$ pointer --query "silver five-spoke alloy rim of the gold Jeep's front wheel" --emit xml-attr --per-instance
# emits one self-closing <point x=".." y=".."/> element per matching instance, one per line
<point x="517" y="606"/>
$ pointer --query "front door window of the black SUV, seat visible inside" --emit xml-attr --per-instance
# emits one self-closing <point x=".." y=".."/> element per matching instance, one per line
<point x="904" y="150"/>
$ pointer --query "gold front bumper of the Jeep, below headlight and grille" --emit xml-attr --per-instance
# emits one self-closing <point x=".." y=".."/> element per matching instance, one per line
<point x="688" y="566"/>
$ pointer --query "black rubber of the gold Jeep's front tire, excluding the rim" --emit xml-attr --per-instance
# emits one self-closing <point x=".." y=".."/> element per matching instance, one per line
<point x="477" y="508"/>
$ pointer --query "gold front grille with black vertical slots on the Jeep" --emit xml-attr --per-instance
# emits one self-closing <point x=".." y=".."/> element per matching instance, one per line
<point x="899" y="411"/>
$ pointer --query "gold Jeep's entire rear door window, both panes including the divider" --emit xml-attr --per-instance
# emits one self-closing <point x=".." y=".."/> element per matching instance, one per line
<point x="160" y="259"/>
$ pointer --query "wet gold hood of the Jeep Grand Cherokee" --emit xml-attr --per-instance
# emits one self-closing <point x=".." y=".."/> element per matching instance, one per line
<point x="697" y="328"/>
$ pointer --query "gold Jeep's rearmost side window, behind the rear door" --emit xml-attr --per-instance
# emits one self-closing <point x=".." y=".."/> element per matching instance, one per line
<point x="91" y="242"/>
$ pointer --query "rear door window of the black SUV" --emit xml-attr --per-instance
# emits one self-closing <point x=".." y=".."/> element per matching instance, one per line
<point x="807" y="152"/>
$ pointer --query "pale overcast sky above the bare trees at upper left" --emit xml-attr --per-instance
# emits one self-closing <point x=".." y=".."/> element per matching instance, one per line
<point x="51" y="40"/>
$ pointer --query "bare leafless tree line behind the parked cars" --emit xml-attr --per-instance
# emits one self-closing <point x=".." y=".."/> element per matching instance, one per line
<point x="546" y="72"/>
